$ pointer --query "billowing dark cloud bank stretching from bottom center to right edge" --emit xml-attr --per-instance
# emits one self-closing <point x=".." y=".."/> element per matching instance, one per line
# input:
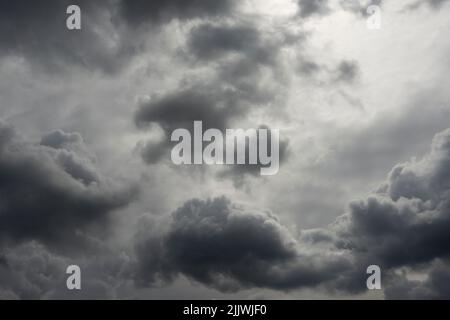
<point x="404" y="224"/>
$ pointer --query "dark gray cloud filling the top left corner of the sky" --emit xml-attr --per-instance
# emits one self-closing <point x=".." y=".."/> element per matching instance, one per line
<point x="109" y="38"/>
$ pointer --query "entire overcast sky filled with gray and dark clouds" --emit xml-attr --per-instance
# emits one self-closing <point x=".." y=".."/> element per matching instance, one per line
<point x="85" y="170"/>
